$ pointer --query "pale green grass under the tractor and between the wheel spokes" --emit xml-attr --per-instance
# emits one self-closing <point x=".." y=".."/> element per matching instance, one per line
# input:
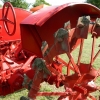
<point x="86" y="55"/>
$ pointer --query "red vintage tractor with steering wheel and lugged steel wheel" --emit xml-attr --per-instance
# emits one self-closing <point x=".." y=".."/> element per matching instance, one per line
<point x="31" y="45"/>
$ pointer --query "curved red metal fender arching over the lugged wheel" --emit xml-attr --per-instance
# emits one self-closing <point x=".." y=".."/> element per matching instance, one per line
<point x="41" y="25"/>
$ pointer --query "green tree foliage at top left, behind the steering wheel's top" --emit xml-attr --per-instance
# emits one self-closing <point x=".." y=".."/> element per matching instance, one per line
<point x="18" y="3"/>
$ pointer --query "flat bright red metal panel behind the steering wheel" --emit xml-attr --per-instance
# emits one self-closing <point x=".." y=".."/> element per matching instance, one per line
<point x="20" y="15"/>
